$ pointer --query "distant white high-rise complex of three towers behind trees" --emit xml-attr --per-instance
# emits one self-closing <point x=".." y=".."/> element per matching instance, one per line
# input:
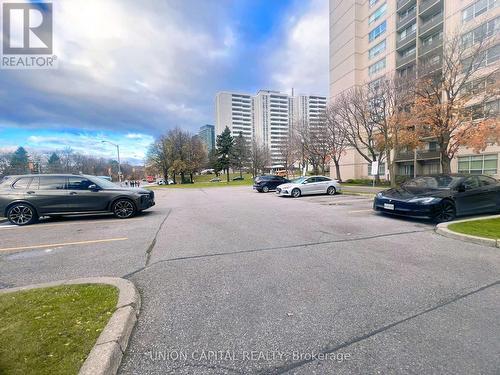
<point x="268" y="116"/>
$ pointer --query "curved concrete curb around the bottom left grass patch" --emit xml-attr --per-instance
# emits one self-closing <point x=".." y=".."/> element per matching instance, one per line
<point x="106" y="355"/>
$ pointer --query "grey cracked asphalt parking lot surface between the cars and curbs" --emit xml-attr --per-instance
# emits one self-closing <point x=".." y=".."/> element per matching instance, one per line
<point x="237" y="282"/>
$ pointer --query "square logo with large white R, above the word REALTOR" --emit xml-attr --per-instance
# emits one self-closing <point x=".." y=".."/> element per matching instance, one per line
<point x="27" y="28"/>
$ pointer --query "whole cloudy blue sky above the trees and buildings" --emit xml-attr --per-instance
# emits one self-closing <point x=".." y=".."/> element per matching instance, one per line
<point x="128" y="71"/>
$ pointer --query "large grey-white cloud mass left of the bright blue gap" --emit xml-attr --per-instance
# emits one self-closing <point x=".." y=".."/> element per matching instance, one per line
<point x="125" y="65"/>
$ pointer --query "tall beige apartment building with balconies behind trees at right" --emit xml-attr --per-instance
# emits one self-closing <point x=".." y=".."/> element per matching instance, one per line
<point x="370" y="39"/>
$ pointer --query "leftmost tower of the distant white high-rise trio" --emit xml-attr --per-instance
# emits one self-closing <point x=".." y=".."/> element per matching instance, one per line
<point x="234" y="110"/>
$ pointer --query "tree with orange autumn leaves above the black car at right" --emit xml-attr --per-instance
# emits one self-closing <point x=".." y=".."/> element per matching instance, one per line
<point x="447" y="106"/>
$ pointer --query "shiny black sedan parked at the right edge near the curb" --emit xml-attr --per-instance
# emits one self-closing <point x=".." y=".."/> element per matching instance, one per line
<point x="441" y="197"/>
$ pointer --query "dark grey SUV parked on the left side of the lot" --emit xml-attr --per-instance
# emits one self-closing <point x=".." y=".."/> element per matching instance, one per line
<point x="23" y="199"/>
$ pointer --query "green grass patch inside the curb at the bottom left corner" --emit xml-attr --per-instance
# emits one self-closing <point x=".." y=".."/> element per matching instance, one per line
<point x="52" y="330"/>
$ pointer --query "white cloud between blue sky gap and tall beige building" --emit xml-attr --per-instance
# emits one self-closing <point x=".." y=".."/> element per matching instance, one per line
<point x="301" y="59"/>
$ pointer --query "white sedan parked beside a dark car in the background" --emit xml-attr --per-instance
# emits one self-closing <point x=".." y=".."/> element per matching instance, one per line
<point x="309" y="185"/>
